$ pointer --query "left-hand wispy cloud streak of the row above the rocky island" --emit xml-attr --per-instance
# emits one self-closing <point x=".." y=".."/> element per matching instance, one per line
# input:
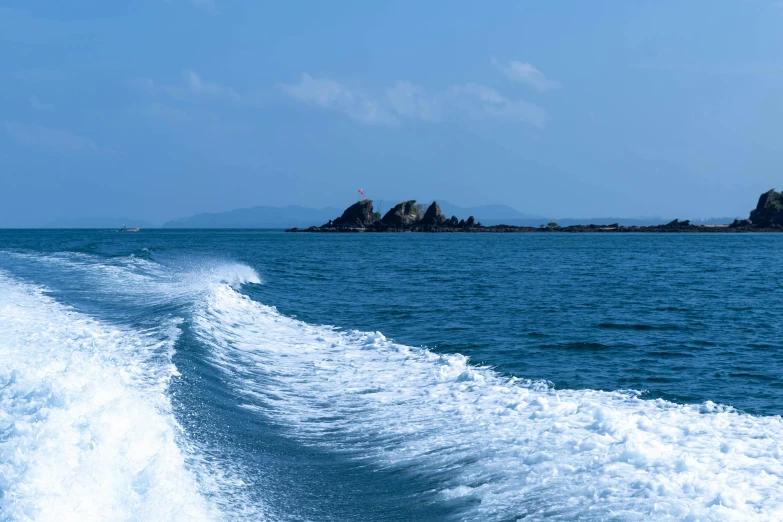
<point x="329" y="94"/>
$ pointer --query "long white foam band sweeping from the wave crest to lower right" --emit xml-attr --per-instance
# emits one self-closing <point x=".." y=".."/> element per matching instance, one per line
<point x="508" y="448"/>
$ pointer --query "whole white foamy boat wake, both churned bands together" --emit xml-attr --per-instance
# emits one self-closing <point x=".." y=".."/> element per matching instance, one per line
<point x="87" y="430"/>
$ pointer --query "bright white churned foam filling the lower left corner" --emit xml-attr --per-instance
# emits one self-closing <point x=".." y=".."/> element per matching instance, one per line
<point x="86" y="431"/>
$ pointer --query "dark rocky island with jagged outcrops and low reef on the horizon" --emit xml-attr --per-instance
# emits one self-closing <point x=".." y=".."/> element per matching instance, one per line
<point x="409" y="216"/>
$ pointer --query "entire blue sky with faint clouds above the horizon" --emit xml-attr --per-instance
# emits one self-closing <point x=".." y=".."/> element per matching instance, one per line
<point x="159" y="109"/>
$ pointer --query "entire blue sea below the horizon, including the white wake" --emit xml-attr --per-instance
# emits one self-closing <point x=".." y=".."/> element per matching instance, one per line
<point x="258" y="375"/>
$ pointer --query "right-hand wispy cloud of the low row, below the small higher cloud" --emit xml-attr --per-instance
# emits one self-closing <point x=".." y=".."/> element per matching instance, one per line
<point x="481" y="102"/>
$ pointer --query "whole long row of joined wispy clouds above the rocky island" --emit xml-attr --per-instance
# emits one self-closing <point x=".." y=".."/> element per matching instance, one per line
<point x="406" y="101"/>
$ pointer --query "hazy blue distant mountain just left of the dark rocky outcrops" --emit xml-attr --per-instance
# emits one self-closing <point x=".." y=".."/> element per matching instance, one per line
<point x="259" y="217"/>
